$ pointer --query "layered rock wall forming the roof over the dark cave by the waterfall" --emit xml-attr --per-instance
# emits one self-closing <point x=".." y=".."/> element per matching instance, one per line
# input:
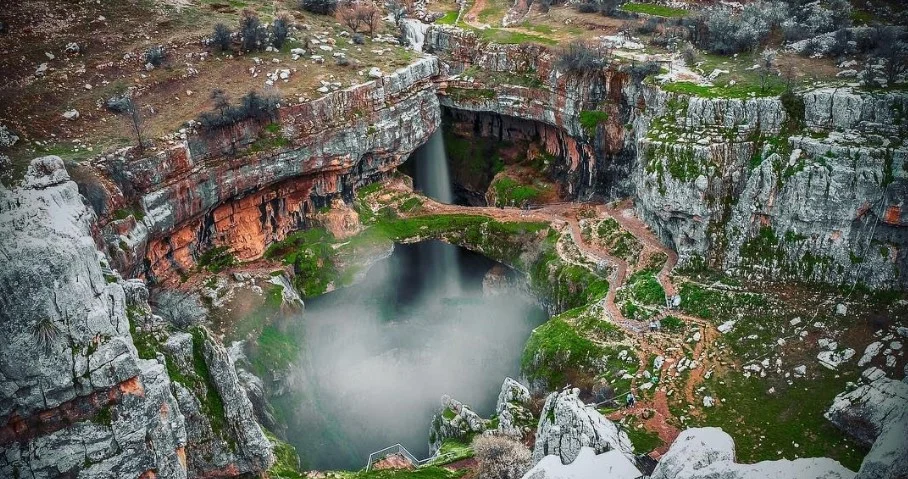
<point x="523" y="96"/>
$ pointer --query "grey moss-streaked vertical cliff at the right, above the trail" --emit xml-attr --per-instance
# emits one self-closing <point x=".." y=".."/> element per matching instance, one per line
<point x="810" y="190"/>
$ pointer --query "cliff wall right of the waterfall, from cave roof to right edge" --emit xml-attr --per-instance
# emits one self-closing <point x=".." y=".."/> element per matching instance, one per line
<point x="810" y="188"/>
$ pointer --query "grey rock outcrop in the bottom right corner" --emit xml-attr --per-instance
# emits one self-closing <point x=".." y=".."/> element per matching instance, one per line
<point x="876" y="414"/>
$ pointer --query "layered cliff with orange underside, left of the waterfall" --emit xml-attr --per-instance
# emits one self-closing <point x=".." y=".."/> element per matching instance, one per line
<point x="247" y="185"/>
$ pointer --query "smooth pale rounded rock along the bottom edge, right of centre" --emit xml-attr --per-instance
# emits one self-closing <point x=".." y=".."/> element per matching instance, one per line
<point x="708" y="453"/>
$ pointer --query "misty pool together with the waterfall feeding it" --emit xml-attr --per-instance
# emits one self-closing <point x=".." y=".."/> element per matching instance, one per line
<point x="378" y="356"/>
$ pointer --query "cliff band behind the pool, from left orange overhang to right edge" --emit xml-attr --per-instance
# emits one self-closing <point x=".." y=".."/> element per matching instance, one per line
<point x="813" y="190"/>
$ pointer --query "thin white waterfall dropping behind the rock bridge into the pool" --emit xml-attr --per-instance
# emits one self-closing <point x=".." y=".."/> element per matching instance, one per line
<point x="433" y="178"/>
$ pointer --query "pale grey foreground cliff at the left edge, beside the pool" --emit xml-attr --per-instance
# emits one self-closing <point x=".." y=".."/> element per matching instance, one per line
<point x="77" y="396"/>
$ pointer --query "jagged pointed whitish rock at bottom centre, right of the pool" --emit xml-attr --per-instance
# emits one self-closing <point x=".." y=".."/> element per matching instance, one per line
<point x="567" y="425"/>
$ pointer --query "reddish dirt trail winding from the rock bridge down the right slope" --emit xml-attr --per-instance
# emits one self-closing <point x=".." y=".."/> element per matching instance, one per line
<point x="652" y="406"/>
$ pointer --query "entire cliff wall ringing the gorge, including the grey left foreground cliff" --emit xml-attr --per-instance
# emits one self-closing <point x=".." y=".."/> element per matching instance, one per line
<point x="807" y="189"/>
